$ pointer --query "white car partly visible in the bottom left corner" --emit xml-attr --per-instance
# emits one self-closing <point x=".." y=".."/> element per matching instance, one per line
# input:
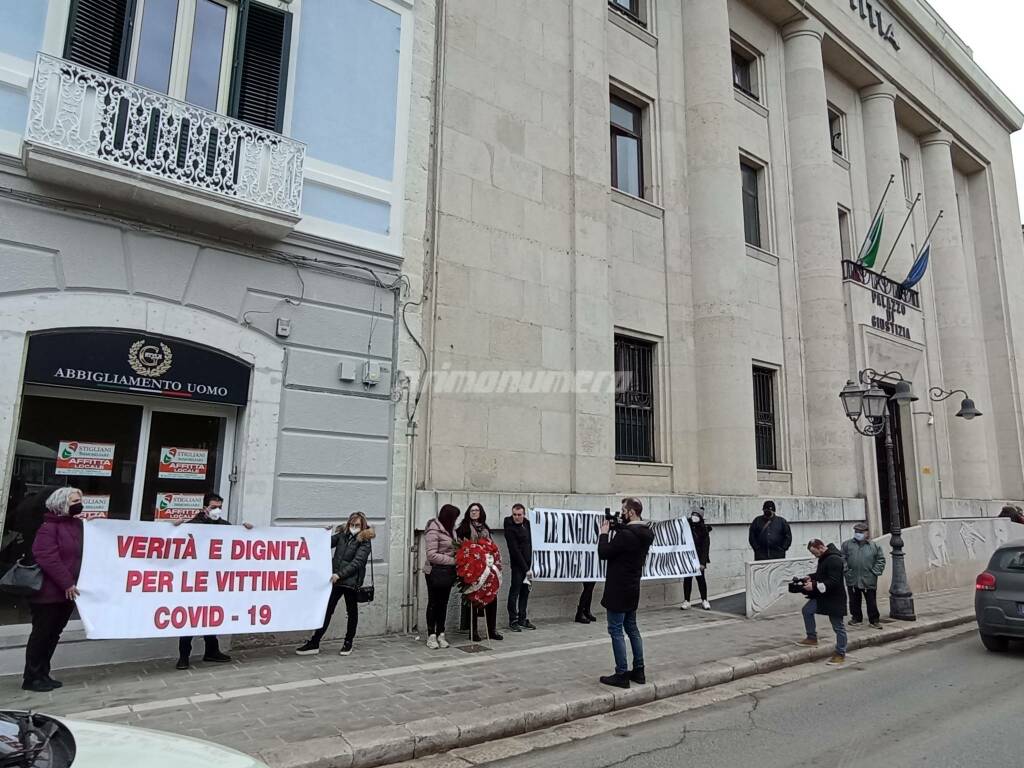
<point x="45" y="742"/>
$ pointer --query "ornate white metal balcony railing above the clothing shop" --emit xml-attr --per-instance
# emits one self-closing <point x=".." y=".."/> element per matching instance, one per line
<point x="75" y="110"/>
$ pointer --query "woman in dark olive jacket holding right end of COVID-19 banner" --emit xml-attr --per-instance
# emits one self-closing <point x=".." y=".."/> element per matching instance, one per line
<point x="353" y="550"/>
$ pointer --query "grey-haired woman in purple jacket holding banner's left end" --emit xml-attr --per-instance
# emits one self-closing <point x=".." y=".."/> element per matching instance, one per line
<point x="59" y="551"/>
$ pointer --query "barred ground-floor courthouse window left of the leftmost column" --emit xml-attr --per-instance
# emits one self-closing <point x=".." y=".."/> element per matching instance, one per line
<point x="634" y="400"/>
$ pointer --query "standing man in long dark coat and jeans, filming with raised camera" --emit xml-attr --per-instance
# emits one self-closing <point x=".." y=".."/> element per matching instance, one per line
<point x="626" y="553"/>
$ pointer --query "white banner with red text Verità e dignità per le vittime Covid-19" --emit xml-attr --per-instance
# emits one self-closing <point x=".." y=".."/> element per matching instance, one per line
<point x="157" y="580"/>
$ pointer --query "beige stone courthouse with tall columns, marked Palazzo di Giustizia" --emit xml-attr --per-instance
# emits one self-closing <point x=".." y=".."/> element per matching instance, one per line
<point x="680" y="190"/>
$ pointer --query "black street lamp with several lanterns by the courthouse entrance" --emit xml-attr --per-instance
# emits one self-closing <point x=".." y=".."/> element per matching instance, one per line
<point x="868" y="400"/>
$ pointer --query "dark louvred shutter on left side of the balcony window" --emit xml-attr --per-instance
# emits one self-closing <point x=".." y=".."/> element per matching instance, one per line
<point x="100" y="34"/>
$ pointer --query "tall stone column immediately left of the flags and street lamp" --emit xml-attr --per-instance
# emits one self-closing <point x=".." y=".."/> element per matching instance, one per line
<point x="831" y="444"/>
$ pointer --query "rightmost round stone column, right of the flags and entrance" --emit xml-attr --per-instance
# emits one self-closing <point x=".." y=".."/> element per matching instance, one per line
<point x="960" y="343"/>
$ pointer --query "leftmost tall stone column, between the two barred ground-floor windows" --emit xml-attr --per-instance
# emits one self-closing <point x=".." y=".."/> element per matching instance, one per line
<point x="722" y="357"/>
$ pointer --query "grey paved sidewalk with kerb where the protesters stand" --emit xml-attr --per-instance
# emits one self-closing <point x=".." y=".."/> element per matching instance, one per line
<point x="394" y="698"/>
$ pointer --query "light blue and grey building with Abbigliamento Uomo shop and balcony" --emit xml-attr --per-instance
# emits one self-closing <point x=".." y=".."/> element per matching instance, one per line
<point x="202" y="225"/>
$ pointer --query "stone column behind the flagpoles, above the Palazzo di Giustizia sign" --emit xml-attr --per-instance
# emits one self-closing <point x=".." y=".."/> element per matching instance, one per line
<point x="883" y="160"/>
